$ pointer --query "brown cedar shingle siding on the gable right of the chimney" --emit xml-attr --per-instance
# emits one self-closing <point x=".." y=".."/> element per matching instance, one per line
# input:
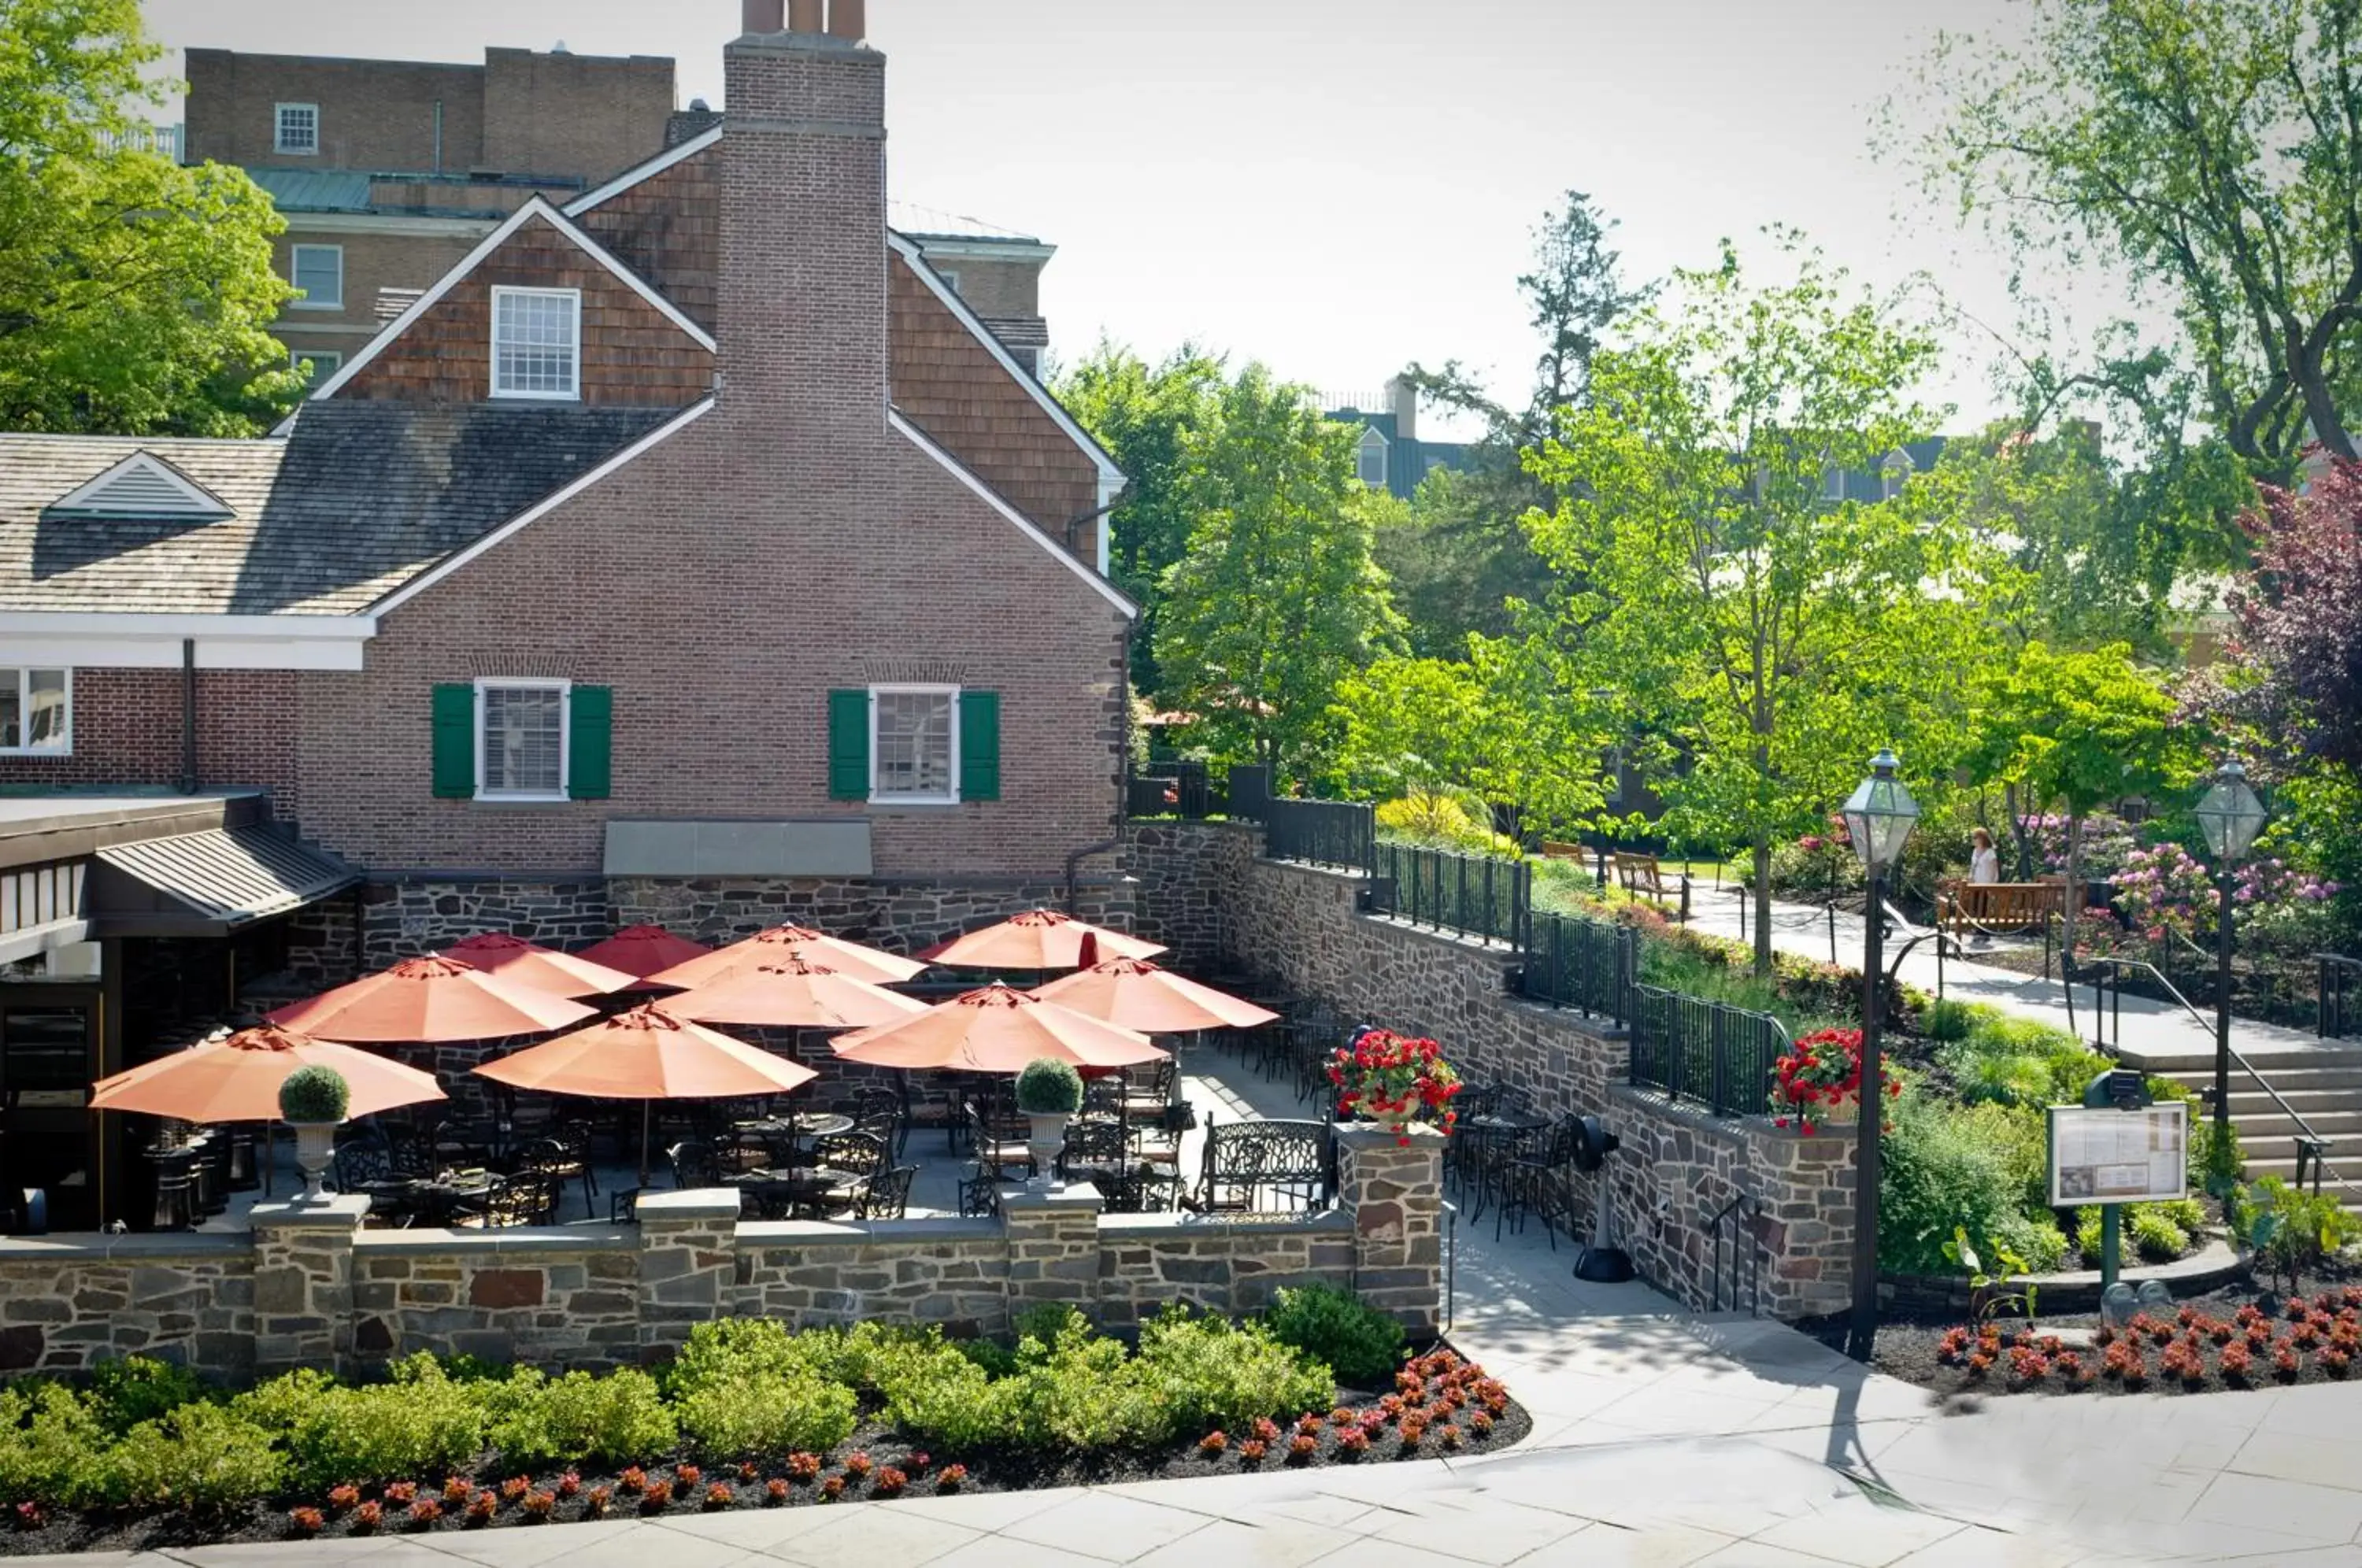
<point x="951" y="386"/>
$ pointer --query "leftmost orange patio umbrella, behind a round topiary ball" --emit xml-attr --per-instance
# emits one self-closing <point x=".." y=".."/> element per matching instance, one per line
<point x="235" y="1078"/>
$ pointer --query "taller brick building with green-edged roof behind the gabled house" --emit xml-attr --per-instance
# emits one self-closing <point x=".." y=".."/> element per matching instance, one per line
<point x="391" y="171"/>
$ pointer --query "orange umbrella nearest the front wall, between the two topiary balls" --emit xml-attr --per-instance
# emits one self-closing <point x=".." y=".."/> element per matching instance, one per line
<point x="648" y="1057"/>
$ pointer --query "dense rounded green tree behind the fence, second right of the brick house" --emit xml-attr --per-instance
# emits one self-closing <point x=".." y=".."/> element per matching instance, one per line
<point x="1277" y="599"/>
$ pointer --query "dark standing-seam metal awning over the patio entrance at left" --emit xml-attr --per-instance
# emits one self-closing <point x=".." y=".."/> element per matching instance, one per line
<point x="209" y="884"/>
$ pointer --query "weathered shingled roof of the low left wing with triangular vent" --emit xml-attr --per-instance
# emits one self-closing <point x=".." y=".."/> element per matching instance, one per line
<point x="360" y="499"/>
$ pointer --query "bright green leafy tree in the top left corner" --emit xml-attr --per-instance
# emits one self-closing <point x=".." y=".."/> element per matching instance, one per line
<point x="136" y="294"/>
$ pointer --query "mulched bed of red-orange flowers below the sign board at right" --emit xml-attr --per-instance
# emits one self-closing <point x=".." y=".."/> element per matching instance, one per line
<point x="2226" y="1340"/>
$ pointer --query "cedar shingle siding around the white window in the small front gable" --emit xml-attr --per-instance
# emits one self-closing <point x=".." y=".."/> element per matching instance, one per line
<point x="634" y="355"/>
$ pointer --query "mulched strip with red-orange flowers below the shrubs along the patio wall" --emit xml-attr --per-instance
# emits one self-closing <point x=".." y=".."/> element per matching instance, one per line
<point x="1442" y="1406"/>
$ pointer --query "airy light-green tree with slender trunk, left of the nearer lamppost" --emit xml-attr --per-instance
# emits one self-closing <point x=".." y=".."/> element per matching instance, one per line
<point x="1770" y="634"/>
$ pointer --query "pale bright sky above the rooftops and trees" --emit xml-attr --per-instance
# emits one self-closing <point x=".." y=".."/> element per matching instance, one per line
<point x="1336" y="188"/>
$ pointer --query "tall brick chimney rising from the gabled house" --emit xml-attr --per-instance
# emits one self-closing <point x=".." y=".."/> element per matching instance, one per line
<point x="804" y="228"/>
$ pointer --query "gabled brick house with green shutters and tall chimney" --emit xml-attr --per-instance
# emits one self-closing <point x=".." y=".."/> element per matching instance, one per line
<point x="689" y="551"/>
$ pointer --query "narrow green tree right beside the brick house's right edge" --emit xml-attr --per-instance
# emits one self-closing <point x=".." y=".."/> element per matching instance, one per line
<point x="1144" y="417"/>
